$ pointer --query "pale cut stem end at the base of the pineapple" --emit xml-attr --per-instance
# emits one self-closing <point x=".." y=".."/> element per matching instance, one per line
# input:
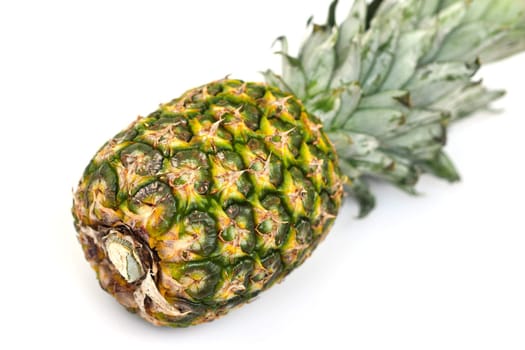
<point x="123" y="256"/>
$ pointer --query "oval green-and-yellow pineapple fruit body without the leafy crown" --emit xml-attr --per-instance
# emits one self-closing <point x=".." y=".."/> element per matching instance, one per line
<point x="211" y="199"/>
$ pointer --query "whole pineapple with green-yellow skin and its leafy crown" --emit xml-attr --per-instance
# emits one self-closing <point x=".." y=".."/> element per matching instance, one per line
<point x="222" y="192"/>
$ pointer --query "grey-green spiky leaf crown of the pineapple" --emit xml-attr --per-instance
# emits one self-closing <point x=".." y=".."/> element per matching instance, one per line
<point x="389" y="79"/>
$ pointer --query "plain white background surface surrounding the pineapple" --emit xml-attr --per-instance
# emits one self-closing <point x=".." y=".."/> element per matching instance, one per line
<point x="445" y="270"/>
